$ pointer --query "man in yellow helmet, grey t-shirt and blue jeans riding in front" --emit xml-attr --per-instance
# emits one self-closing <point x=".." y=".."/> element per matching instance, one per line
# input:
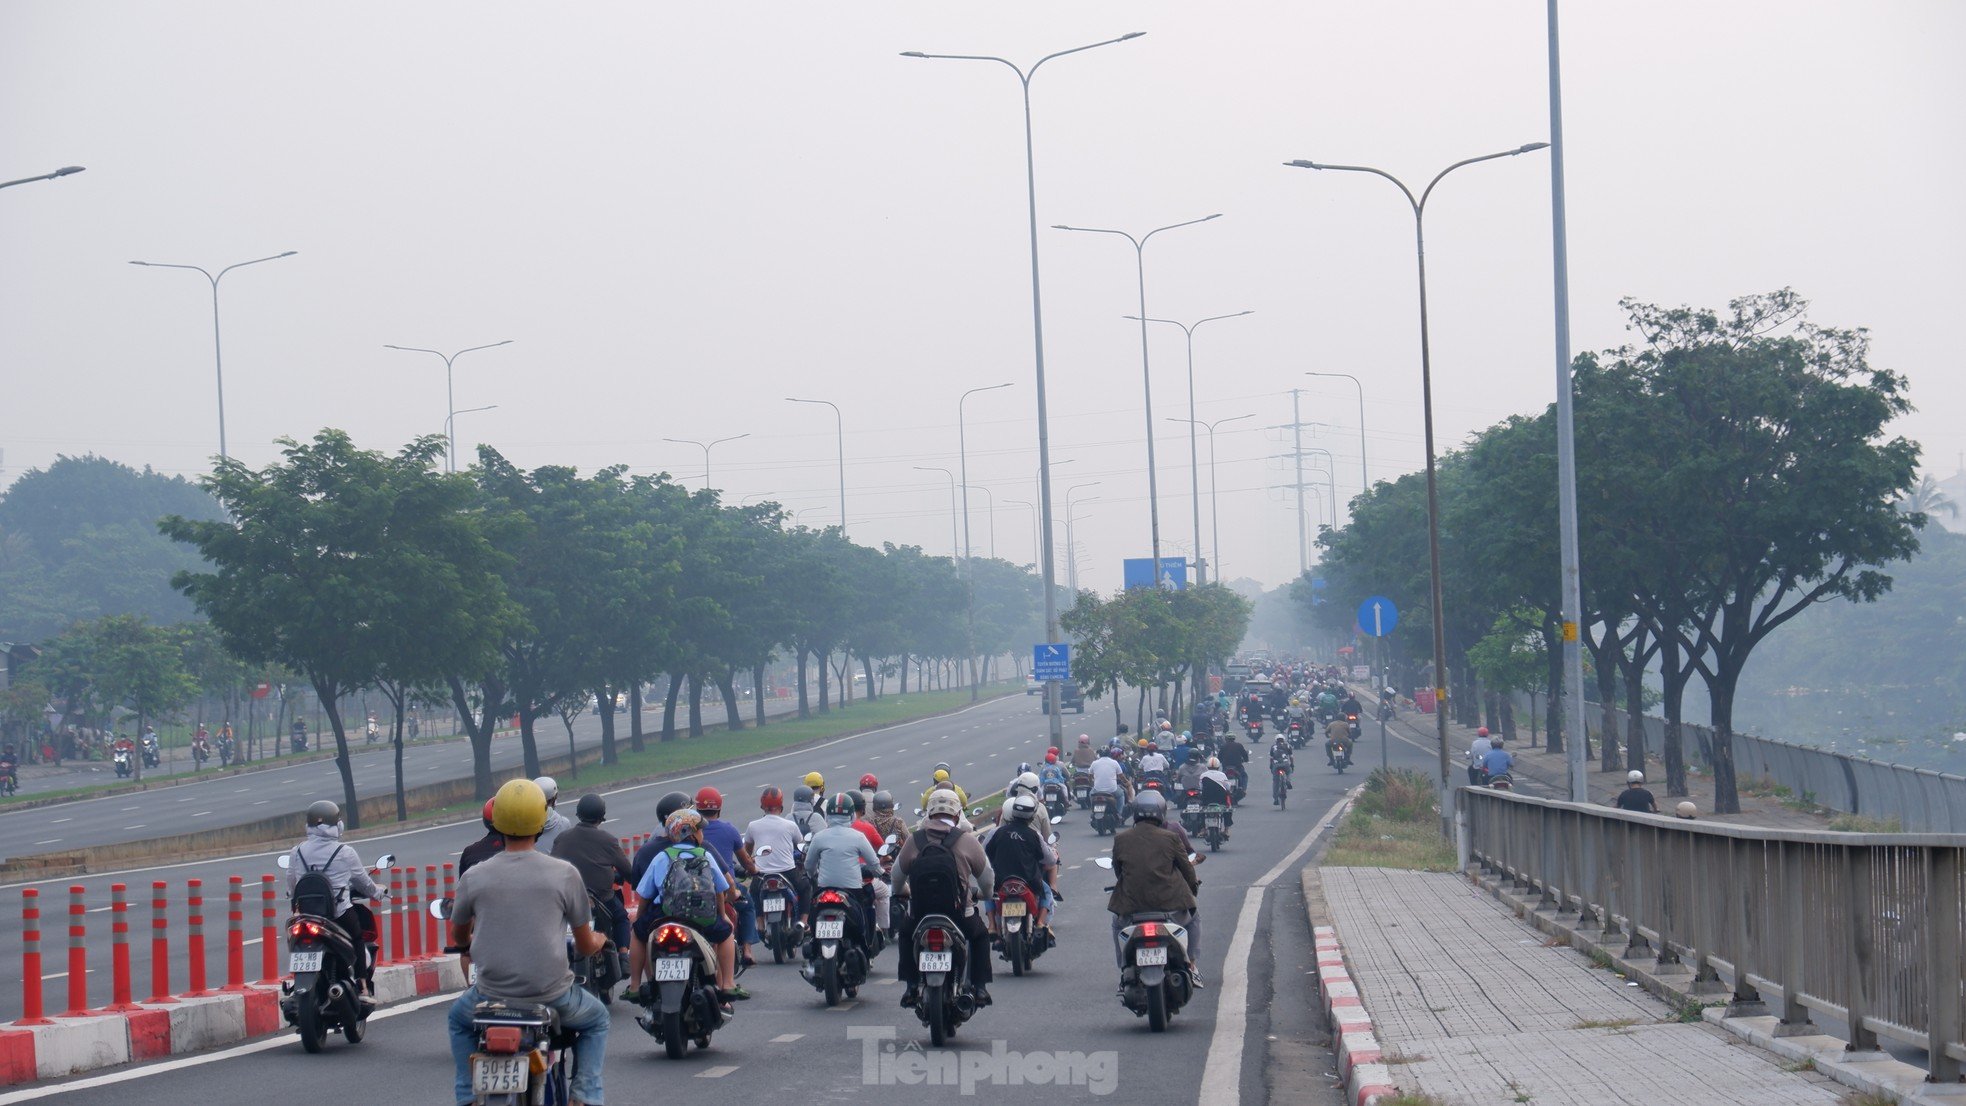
<point x="510" y="920"/>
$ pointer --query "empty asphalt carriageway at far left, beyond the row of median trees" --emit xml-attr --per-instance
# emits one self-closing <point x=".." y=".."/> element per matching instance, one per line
<point x="270" y="789"/>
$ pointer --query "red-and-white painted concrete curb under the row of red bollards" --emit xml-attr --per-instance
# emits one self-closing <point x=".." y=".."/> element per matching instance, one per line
<point x="72" y="1046"/>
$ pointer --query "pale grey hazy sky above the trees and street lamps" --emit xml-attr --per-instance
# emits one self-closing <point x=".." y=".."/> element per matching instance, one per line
<point x="683" y="213"/>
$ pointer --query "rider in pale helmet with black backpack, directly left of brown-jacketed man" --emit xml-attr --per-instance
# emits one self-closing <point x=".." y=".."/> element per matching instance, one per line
<point x="935" y="842"/>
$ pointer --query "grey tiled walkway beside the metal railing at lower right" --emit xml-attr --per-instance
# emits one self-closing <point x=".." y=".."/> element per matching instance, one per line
<point x="1475" y="1009"/>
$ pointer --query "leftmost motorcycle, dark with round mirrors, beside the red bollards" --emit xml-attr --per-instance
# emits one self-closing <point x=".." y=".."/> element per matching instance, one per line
<point x="325" y="995"/>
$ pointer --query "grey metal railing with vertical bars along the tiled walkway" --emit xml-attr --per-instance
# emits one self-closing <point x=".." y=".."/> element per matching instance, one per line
<point x="1865" y="928"/>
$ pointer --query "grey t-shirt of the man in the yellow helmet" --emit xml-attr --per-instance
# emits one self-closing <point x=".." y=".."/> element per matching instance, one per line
<point x="520" y="907"/>
